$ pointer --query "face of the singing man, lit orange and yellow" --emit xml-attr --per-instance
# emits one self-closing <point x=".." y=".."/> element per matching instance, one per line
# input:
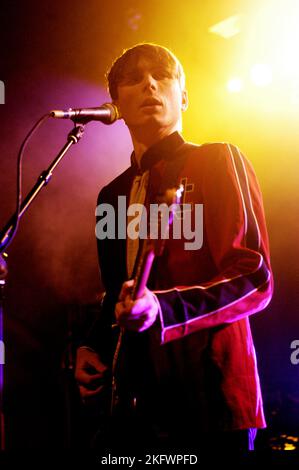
<point x="150" y="98"/>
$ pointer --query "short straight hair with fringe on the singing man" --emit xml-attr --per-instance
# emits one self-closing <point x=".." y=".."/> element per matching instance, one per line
<point x="153" y="52"/>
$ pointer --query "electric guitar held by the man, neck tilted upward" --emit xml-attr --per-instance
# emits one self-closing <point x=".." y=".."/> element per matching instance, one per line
<point x="152" y="247"/>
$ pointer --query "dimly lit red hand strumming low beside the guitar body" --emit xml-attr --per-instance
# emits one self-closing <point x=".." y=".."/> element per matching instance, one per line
<point x="90" y="372"/>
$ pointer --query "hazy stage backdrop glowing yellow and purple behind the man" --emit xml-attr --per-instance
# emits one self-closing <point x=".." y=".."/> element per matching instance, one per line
<point x="54" y="56"/>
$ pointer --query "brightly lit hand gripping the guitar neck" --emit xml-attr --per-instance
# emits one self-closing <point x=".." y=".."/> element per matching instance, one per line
<point x="136" y="315"/>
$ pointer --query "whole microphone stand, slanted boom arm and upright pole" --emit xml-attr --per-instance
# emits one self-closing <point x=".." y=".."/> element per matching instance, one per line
<point x="73" y="138"/>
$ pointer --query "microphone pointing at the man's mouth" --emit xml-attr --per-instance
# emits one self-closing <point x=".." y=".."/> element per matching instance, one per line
<point x="107" y="113"/>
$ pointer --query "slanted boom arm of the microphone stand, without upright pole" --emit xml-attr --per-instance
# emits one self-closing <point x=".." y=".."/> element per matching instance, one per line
<point x="73" y="137"/>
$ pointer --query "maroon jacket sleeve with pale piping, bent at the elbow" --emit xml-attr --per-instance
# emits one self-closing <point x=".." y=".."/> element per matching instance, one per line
<point x="237" y="237"/>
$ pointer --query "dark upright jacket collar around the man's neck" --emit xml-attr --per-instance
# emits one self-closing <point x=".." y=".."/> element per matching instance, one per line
<point x="164" y="149"/>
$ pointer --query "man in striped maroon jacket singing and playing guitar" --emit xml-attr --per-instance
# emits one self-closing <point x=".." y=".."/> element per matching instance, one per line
<point x="188" y="361"/>
